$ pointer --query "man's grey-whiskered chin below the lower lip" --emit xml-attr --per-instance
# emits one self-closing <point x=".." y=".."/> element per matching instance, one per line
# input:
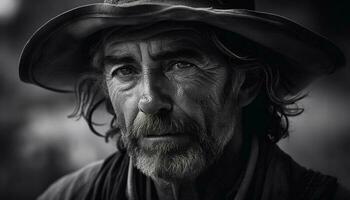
<point x="172" y="166"/>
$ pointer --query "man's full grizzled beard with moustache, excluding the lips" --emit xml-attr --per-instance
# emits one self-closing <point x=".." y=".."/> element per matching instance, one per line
<point x="165" y="161"/>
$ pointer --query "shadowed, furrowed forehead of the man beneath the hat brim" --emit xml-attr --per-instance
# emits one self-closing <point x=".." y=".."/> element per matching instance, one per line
<point x="164" y="36"/>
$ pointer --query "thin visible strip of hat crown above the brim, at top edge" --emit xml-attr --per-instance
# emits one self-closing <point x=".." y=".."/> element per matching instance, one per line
<point x="220" y="4"/>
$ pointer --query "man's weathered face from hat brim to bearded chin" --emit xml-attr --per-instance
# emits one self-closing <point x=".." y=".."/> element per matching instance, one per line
<point x="173" y="97"/>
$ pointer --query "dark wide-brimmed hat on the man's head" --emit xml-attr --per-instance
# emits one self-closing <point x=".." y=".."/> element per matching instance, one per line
<point x="56" y="55"/>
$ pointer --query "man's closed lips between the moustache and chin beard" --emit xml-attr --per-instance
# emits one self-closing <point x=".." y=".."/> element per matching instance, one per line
<point x="179" y="140"/>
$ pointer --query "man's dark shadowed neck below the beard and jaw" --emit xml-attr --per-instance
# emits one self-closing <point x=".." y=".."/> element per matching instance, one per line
<point x="215" y="181"/>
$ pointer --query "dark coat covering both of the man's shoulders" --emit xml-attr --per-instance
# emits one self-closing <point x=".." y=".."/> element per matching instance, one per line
<point x="276" y="176"/>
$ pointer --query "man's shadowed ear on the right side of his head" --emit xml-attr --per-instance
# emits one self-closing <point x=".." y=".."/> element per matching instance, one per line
<point x="250" y="87"/>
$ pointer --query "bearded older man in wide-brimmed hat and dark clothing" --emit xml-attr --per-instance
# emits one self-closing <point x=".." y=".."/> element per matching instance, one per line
<point x="199" y="91"/>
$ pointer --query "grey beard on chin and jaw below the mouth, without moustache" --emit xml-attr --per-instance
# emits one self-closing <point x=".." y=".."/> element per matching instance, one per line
<point x="170" y="166"/>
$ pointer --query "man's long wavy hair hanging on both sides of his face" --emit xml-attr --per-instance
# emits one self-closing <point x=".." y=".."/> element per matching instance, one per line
<point x="267" y="116"/>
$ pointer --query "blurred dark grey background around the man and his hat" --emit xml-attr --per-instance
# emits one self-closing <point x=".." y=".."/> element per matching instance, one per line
<point x="38" y="143"/>
